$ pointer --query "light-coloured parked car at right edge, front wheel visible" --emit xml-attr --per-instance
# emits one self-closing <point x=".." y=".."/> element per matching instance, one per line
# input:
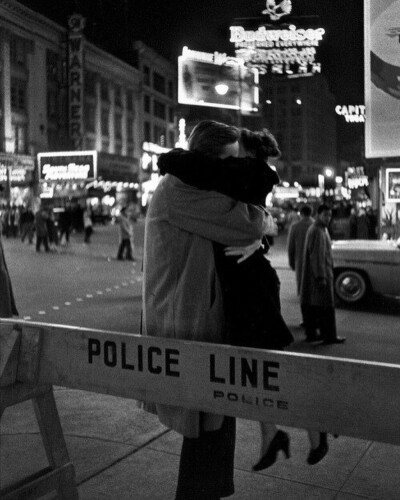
<point x="364" y="267"/>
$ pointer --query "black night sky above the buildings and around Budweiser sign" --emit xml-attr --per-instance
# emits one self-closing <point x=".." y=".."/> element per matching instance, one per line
<point x="168" y="25"/>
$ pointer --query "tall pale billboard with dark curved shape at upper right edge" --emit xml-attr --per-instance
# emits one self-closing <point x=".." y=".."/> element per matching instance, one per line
<point x="382" y="78"/>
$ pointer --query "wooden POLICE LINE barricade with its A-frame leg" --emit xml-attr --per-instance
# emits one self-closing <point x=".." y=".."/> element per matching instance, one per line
<point x="340" y="396"/>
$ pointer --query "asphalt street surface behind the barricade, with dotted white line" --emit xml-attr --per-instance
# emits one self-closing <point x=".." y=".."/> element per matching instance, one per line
<point x="84" y="285"/>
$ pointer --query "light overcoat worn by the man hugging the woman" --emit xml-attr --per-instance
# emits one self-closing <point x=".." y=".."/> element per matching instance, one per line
<point x="181" y="291"/>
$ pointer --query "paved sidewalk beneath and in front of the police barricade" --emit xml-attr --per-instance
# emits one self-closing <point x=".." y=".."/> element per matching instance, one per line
<point x="122" y="453"/>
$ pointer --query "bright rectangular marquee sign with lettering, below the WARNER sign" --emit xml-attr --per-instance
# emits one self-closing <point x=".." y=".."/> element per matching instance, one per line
<point x="67" y="166"/>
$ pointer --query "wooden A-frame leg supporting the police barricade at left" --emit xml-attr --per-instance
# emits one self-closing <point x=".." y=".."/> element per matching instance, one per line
<point x="60" y="475"/>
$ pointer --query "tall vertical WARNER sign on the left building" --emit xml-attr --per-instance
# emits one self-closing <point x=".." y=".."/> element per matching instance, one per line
<point x="75" y="79"/>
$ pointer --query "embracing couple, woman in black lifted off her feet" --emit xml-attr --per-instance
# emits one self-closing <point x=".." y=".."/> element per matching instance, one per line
<point x="207" y="279"/>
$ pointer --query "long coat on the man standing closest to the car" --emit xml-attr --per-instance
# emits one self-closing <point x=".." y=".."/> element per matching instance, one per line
<point x="317" y="264"/>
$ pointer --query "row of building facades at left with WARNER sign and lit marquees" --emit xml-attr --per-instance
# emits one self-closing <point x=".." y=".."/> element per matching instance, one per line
<point x="61" y="94"/>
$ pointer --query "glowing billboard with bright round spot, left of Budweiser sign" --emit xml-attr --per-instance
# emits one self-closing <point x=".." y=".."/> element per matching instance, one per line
<point x="216" y="80"/>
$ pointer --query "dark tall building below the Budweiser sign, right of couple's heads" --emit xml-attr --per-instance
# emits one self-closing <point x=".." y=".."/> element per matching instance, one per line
<point x="301" y="114"/>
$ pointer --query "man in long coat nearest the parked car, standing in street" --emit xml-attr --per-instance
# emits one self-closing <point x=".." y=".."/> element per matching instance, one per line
<point x="316" y="293"/>
